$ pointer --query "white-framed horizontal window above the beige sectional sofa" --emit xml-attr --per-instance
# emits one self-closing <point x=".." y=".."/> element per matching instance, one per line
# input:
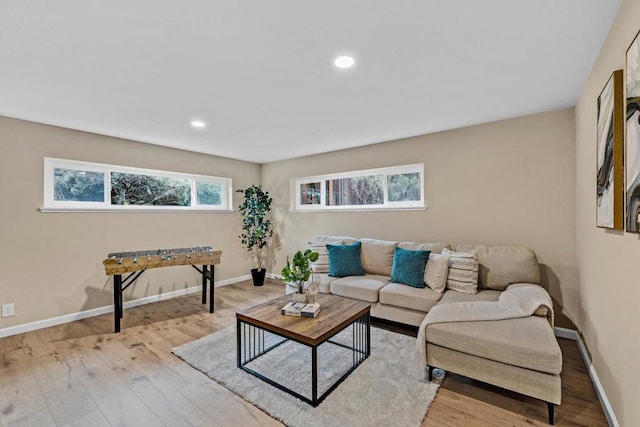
<point x="399" y="187"/>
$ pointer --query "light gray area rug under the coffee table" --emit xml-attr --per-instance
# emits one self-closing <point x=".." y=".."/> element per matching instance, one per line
<point x="388" y="388"/>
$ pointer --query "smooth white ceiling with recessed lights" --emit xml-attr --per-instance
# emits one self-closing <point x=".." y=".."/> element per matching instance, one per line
<point x="261" y="73"/>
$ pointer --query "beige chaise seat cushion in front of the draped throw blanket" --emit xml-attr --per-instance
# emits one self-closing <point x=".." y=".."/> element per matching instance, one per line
<point x="527" y="342"/>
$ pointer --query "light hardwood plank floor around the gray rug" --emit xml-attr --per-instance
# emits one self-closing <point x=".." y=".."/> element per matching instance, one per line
<point x="82" y="374"/>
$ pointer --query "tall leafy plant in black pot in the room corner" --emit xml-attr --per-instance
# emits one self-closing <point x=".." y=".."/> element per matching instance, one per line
<point x="256" y="227"/>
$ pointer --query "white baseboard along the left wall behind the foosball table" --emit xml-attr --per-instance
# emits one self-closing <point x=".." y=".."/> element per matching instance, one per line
<point x="53" y="321"/>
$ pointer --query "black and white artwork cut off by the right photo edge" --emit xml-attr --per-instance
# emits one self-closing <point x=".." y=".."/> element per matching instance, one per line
<point x="633" y="136"/>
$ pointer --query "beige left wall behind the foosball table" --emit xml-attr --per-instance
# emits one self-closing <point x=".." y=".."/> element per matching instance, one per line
<point x="51" y="263"/>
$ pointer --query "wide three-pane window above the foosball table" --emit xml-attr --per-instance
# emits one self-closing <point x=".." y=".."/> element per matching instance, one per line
<point x="73" y="185"/>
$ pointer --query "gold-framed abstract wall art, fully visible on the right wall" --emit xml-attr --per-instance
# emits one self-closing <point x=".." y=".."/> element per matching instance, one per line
<point x="610" y="154"/>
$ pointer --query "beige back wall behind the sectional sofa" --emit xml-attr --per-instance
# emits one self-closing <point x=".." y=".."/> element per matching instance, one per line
<point x="505" y="183"/>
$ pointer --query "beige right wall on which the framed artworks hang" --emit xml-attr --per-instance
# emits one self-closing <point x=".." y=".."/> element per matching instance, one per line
<point x="608" y="313"/>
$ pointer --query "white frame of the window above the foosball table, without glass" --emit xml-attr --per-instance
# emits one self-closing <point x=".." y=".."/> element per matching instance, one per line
<point x="52" y="205"/>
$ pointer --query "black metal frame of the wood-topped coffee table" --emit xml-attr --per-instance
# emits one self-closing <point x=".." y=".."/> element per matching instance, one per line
<point x="254" y="347"/>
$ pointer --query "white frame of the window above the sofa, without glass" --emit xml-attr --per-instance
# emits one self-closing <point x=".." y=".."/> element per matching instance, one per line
<point x="386" y="205"/>
